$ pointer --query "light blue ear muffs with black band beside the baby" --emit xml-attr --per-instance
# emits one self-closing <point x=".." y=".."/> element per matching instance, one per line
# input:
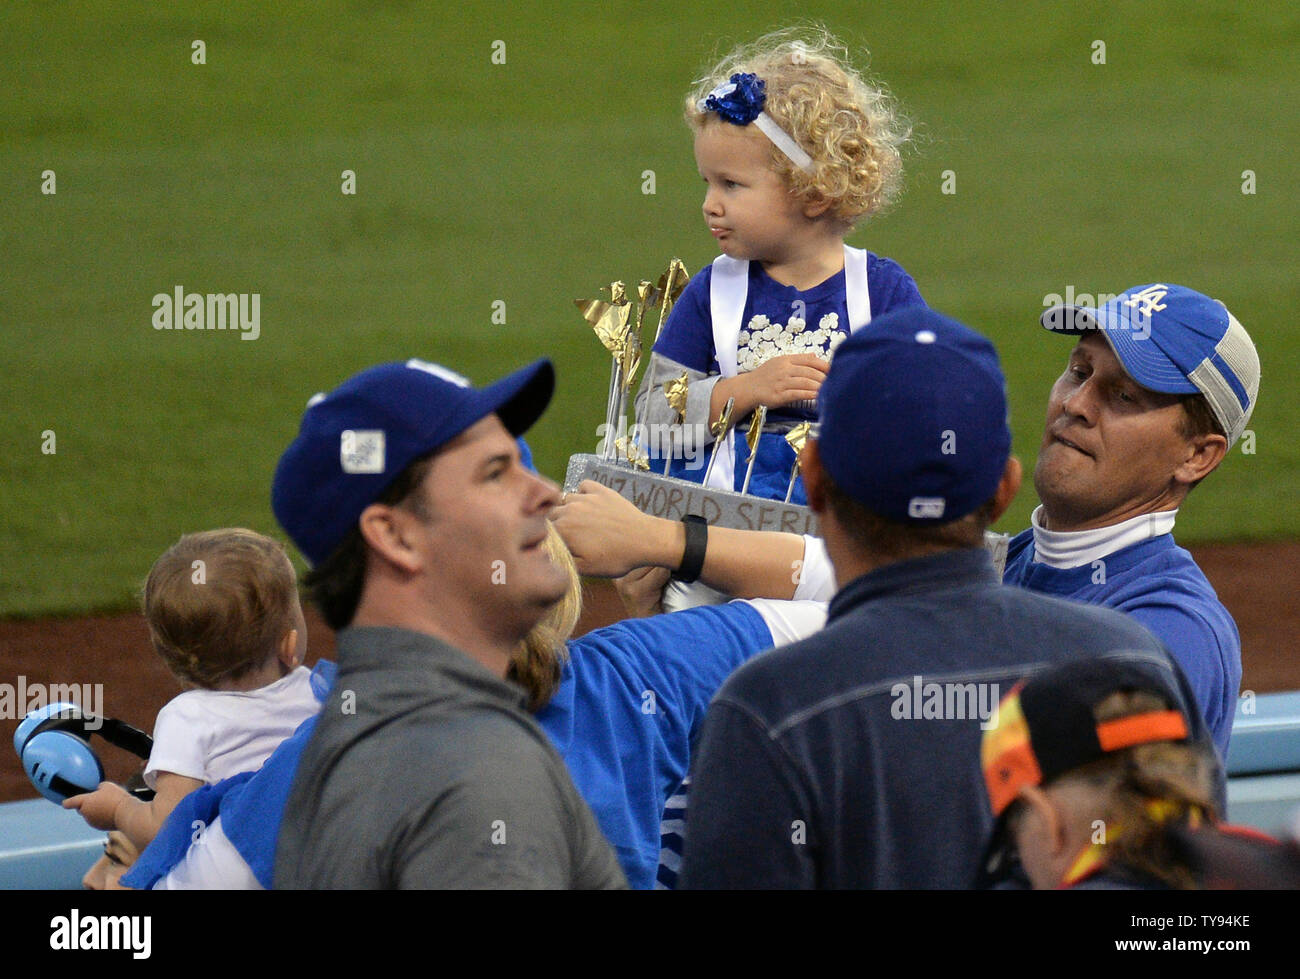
<point x="54" y="747"/>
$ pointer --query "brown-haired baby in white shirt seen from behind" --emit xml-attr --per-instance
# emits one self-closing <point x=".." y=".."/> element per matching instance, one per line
<point x="224" y="616"/>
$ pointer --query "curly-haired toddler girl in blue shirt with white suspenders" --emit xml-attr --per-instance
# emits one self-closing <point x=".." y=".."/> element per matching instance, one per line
<point x="795" y="149"/>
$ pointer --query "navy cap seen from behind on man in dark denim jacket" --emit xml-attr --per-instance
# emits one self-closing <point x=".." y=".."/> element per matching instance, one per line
<point x="915" y="418"/>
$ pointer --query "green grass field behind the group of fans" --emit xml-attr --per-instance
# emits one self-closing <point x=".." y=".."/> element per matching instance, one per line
<point x="523" y="183"/>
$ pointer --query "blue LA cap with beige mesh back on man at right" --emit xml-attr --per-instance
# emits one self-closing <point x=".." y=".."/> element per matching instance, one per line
<point x="1176" y="341"/>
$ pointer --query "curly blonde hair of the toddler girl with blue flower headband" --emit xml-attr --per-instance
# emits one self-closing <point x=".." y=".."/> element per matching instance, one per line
<point x="851" y="127"/>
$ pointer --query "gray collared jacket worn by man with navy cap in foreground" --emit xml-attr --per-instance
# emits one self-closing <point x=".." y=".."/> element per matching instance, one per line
<point x="427" y="773"/>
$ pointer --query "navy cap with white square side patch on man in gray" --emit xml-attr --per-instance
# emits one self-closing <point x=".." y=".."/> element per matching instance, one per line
<point x="357" y="440"/>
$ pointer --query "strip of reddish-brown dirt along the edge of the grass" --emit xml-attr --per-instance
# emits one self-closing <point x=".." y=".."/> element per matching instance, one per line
<point x="1259" y="583"/>
